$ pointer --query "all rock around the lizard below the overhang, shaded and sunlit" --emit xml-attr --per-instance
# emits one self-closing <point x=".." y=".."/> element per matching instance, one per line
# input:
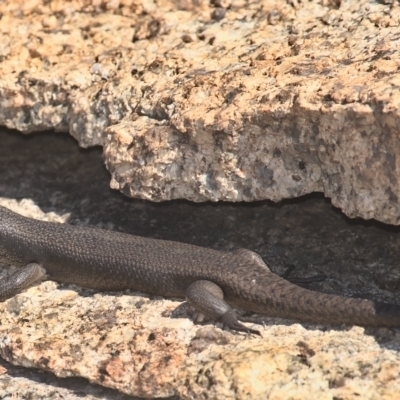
<point x="66" y="329"/>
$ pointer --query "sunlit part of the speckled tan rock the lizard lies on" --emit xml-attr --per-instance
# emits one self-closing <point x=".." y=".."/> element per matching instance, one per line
<point x="150" y="348"/>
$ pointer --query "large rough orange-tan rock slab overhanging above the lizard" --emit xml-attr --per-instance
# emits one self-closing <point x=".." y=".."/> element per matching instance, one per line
<point x="220" y="100"/>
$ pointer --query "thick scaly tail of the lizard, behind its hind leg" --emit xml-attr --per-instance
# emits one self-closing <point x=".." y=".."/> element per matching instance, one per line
<point x="259" y="290"/>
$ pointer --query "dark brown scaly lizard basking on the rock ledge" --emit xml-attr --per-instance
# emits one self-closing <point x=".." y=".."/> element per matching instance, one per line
<point x="214" y="282"/>
